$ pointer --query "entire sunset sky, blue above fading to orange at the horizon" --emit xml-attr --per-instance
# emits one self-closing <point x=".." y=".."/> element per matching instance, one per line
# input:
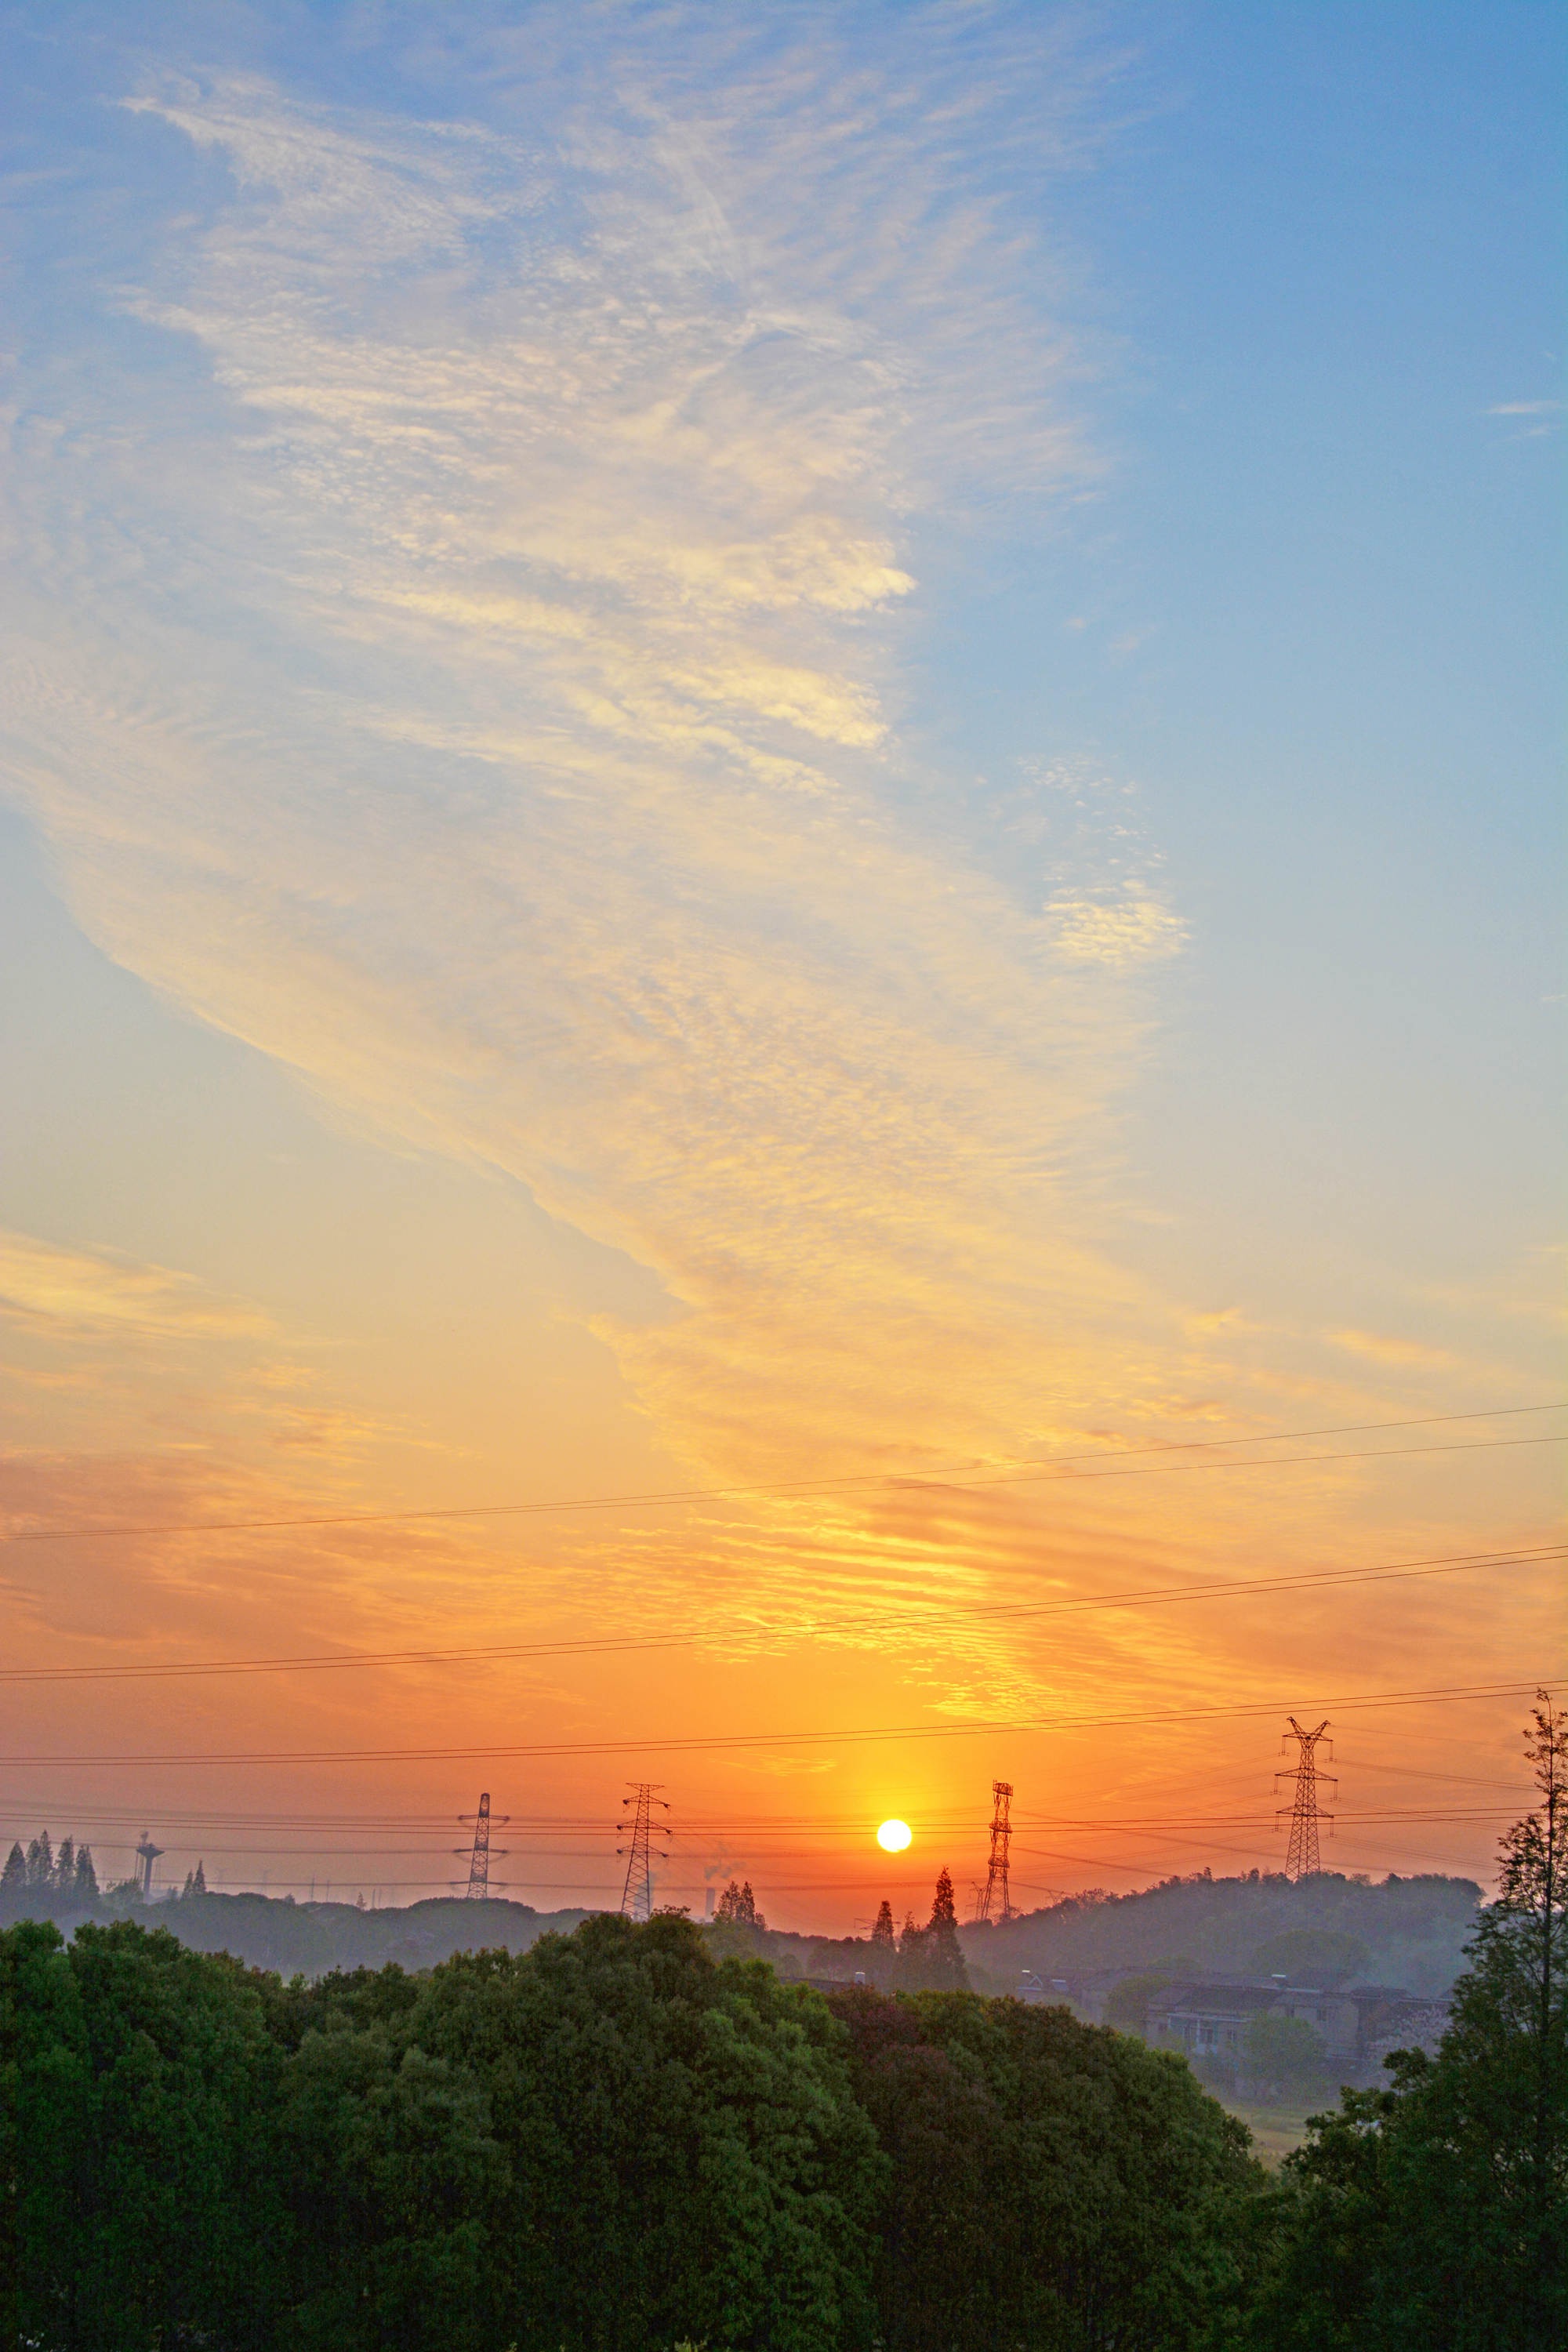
<point x="768" y="780"/>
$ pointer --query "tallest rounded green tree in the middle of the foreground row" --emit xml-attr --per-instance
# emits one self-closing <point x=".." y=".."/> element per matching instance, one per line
<point x="685" y="2156"/>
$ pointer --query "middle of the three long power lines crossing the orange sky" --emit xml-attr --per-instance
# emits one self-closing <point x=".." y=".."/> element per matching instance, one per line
<point x="916" y="1622"/>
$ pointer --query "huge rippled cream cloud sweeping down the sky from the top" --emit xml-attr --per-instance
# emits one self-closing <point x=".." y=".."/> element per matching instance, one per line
<point x="509" y="730"/>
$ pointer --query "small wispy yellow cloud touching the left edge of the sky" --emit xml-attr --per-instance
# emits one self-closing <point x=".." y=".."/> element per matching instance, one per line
<point x="69" y="1292"/>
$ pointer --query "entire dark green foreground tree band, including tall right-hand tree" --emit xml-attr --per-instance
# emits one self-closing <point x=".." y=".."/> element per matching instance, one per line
<point x="634" y="2139"/>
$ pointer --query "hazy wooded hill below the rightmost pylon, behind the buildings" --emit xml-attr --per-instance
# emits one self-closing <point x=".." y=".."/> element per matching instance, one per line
<point x="1388" y="1932"/>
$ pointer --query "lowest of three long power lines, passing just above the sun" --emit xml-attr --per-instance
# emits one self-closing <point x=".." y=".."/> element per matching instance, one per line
<point x="692" y="1744"/>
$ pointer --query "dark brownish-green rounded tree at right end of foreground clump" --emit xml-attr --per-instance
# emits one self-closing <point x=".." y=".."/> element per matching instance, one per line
<point x="1054" y="2186"/>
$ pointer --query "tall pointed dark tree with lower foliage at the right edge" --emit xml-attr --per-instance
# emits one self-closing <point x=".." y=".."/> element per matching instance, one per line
<point x="1433" y="2217"/>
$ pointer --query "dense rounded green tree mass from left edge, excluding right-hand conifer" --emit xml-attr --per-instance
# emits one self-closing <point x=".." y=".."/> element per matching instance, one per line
<point x="612" y="2141"/>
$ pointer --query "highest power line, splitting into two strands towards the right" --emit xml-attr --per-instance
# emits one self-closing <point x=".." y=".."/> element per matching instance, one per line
<point x="974" y="1476"/>
